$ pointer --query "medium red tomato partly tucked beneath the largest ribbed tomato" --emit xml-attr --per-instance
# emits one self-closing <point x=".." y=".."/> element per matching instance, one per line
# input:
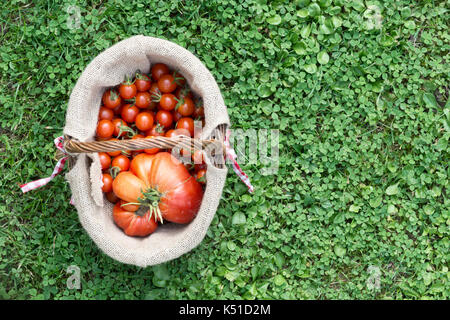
<point x="132" y="223"/>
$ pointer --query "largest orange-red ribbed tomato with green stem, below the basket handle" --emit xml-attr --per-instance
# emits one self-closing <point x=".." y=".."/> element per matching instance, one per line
<point x="161" y="183"/>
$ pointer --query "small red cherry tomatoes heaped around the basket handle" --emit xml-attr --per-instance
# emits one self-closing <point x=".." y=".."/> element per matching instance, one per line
<point x="159" y="103"/>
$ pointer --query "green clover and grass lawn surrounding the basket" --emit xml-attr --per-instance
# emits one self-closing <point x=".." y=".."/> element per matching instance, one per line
<point x="359" y="91"/>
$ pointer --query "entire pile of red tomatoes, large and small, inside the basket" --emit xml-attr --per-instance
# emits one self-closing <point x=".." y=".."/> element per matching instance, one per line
<point x="150" y="186"/>
